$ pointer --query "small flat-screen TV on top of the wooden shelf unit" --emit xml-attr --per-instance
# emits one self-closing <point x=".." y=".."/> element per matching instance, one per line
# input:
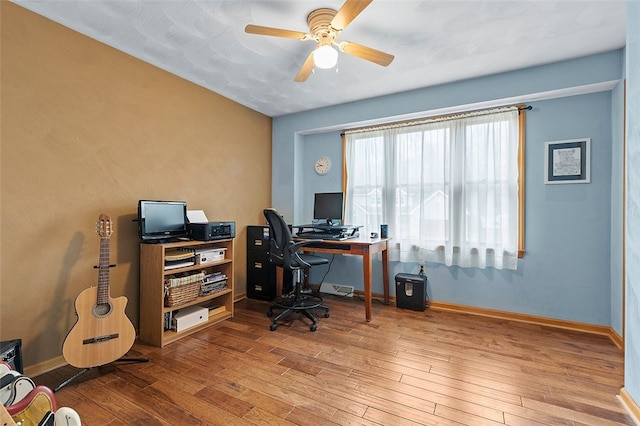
<point x="161" y="221"/>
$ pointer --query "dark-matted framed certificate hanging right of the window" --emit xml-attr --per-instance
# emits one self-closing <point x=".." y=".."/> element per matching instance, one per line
<point x="567" y="161"/>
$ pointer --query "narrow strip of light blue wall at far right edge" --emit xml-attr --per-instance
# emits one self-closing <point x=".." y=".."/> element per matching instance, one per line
<point x="632" y="319"/>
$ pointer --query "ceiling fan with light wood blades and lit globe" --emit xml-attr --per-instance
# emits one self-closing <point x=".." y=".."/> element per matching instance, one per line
<point x="325" y="26"/>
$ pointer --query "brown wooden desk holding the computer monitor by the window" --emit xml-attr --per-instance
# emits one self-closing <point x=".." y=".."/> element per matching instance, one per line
<point x="365" y="247"/>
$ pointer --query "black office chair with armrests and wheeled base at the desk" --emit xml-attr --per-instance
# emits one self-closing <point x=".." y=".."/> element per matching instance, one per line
<point x="285" y="252"/>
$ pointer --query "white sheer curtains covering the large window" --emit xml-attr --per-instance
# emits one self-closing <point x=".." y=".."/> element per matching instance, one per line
<point x="447" y="189"/>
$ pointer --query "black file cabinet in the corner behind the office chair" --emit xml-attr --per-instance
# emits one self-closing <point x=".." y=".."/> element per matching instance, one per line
<point x="261" y="273"/>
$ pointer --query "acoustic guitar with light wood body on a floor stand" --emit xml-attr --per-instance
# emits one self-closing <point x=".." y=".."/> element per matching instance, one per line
<point x="103" y="333"/>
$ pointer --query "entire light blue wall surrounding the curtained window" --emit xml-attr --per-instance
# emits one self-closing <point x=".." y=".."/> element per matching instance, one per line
<point x="566" y="272"/>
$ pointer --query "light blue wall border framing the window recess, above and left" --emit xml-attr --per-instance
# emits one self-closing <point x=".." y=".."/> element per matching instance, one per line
<point x="543" y="82"/>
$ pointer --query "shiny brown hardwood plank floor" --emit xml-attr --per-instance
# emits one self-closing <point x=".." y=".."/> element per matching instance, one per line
<point x="402" y="368"/>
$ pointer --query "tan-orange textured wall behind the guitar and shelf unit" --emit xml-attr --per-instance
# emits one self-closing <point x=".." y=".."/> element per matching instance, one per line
<point x="85" y="130"/>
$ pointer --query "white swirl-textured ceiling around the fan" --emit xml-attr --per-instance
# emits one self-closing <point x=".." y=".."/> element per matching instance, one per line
<point x="434" y="42"/>
